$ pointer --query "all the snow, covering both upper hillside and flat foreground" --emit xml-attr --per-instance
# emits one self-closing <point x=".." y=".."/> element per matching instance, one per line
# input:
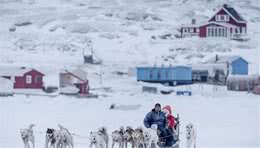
<point x="121" y="32"/>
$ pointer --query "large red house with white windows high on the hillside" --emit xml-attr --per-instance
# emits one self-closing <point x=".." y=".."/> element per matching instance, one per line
<point x="227" y="22"/>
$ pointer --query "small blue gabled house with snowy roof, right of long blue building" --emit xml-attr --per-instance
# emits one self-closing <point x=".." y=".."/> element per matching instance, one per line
<point x="236" y="65"/>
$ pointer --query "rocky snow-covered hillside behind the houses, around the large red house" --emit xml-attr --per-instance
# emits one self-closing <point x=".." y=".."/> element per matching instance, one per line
<point x="60" y="28"/>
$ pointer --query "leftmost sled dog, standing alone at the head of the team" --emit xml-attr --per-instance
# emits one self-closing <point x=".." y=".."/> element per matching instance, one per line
<point x="28" y="136"/>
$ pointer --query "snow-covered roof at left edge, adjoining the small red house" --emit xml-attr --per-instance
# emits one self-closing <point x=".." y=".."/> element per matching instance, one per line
<point x="13" y="71"/>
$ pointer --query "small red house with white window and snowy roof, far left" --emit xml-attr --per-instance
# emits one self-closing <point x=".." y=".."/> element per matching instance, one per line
<point x="23" y="78"/>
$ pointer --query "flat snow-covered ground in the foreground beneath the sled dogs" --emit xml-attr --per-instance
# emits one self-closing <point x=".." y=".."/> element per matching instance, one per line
<point x="223" y="119"/>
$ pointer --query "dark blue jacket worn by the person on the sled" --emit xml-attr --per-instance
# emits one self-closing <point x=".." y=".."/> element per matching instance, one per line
<point x="154" y="117"/>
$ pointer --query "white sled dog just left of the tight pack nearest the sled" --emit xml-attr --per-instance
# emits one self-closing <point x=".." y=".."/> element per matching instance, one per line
<point x="100" y="138"/>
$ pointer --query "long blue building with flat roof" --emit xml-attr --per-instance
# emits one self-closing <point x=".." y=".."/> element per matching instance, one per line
<point x="176" y="75"/>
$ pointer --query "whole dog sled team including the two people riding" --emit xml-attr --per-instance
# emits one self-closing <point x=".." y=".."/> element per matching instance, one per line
<point x="160" y="129"/>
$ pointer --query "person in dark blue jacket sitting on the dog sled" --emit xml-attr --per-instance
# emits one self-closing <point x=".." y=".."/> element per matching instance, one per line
<point x="156" y="116"/>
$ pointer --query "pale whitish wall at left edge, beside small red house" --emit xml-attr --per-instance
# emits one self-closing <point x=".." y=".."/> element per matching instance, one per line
<point x="6" y="87"/>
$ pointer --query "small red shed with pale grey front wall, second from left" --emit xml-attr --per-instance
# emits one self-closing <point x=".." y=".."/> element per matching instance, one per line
<point x="77" y="77"/>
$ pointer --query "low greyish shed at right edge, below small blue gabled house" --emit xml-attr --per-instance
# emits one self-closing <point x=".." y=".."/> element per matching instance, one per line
<point x="242" y="83"/>
